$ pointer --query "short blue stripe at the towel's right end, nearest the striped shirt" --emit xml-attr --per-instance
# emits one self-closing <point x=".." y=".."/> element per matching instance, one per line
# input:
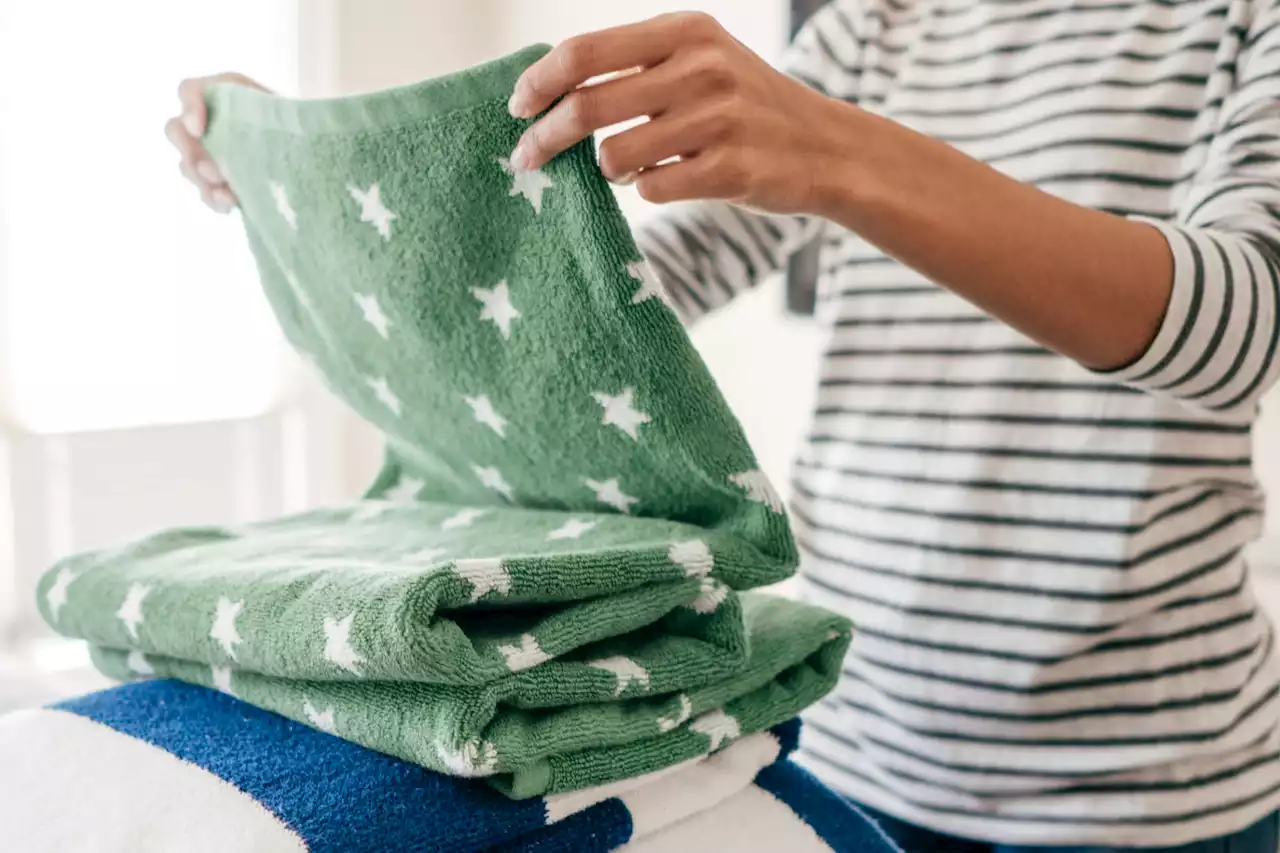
<point x="839" y="823"/>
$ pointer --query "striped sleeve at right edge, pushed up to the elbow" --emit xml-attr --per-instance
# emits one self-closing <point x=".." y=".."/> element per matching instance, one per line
<point x="1217" y="346"/>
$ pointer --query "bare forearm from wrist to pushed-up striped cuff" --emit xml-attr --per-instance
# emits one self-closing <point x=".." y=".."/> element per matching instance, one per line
<point x="1089" y="285"/>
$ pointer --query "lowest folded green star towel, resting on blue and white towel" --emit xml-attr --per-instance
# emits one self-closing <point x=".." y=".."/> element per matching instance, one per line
<point x="528" y="749"/>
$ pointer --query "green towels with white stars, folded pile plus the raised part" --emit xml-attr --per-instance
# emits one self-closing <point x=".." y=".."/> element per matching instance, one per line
<point x="546" y="585"/>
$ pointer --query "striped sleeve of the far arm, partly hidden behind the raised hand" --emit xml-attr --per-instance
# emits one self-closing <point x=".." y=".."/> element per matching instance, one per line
<point x="708" y="253"/>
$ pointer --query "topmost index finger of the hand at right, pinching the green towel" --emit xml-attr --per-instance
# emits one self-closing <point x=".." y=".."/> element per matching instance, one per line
<point x="579" y="60"/>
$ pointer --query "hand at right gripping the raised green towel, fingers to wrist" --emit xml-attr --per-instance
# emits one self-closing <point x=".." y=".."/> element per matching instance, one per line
<point x="742" y="131"/>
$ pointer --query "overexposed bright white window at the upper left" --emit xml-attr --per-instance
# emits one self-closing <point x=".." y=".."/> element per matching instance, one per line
<point x="129" y="302"/>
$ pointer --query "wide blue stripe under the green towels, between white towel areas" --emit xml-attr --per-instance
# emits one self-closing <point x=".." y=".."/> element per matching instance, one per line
<point x="335" y="795"/>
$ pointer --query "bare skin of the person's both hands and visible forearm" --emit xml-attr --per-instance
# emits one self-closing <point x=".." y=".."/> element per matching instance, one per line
<point x="724" y="125"/>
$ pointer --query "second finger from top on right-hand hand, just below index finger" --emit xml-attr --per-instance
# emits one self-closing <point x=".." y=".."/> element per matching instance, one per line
<point x="592" y="108"/>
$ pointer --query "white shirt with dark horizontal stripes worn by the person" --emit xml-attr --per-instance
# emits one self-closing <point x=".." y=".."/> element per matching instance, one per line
<point x="1057" y="638"/>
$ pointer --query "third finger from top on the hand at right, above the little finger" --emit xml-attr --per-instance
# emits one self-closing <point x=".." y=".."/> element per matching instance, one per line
<point x="679" y="134"/>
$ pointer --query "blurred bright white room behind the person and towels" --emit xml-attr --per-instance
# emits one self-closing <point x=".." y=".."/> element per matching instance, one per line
<point x="143" y="382"/>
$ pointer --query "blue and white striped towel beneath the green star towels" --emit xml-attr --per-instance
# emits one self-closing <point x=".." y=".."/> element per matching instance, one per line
<point x="163" y="767"/>
